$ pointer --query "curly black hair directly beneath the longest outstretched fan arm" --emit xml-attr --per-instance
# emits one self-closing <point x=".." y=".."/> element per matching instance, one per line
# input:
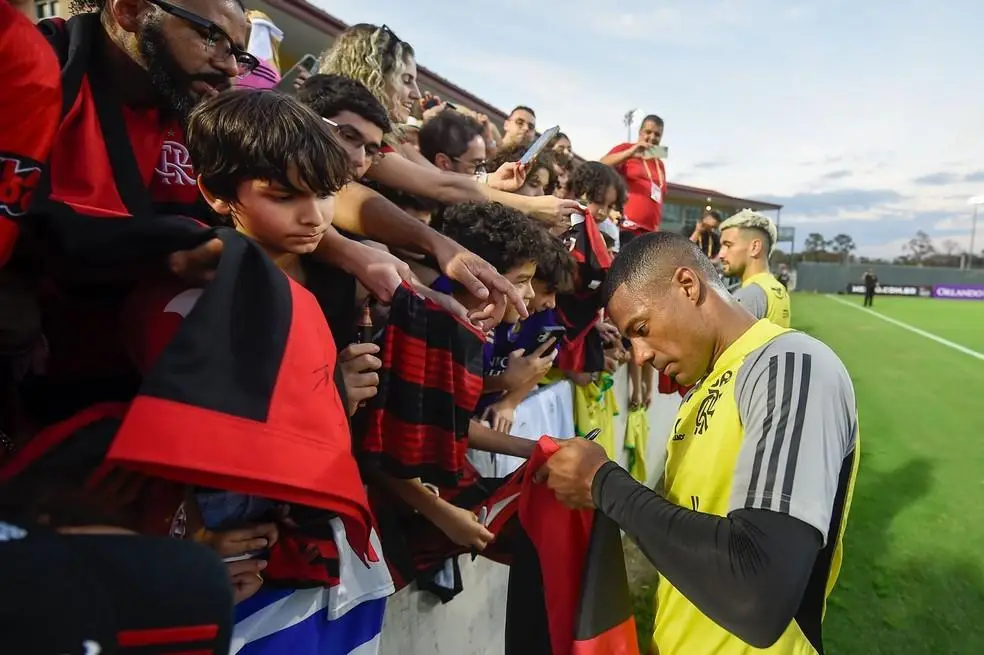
<point x="502" y="236"/>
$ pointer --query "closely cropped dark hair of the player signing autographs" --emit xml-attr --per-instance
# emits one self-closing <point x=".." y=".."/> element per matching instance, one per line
<point x="649" y="261"/>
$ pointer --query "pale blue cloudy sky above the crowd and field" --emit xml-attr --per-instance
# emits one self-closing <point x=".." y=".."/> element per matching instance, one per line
<point x="864" y="117"/>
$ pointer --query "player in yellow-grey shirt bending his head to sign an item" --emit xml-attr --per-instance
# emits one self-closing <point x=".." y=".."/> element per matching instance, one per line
<point x="746" y="526"/>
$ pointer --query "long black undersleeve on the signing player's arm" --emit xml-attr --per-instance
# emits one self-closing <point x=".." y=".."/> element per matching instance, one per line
<point x="747" y="571"/>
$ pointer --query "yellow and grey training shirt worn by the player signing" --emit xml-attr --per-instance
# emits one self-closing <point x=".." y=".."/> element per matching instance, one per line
<point x="777" y="407"/>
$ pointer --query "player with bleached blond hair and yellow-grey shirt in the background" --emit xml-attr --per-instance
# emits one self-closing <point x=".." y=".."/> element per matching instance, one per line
<point x="747" y="240"/>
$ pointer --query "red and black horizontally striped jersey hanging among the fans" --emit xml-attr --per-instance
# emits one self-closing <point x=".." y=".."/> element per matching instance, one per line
<point x="429" y="385"/>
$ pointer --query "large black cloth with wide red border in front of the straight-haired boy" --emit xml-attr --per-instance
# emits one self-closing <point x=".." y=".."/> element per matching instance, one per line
<point x="242" y="397"/>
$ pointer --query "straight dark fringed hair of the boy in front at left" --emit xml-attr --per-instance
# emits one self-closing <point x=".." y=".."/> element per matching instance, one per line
<point x="251" y="134"/>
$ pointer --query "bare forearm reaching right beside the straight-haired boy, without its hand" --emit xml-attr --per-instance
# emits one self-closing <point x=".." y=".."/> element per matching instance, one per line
<point x="363" y="211"/>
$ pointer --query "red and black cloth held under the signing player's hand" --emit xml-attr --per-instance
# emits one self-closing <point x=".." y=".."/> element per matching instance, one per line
<point x="568" y="590"/>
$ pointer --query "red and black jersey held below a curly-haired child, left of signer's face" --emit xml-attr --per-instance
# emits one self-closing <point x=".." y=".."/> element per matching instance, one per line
<point x="582" y="350"/>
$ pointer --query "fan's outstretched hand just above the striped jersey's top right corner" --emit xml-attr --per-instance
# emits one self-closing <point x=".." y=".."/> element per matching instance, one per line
<point x="480" y="279"/>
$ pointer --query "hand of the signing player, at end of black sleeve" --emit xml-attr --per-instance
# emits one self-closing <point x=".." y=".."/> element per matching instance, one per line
<point x="570" y="471"/>
